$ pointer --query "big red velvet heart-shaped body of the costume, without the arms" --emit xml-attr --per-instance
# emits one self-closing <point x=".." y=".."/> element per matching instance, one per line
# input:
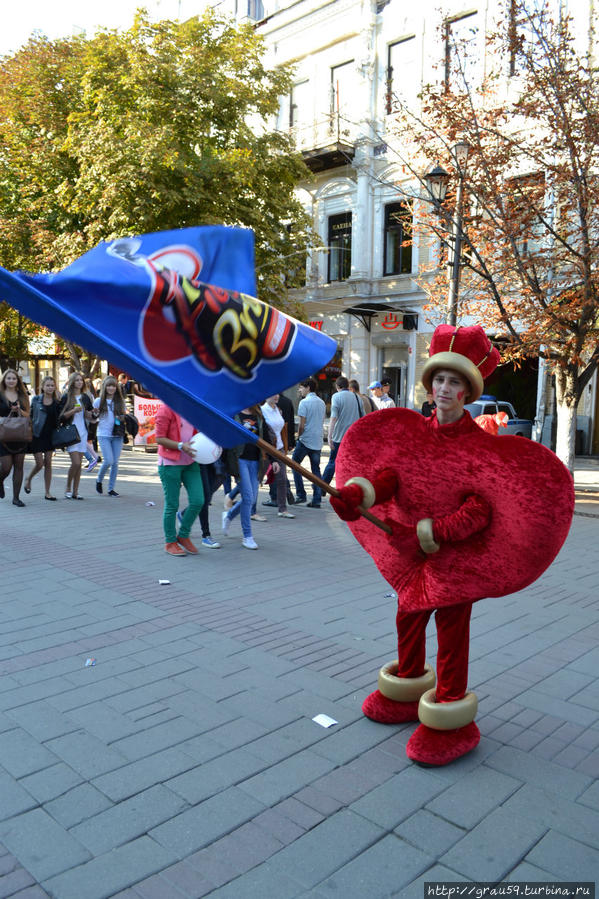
<point x="530" y="491"/>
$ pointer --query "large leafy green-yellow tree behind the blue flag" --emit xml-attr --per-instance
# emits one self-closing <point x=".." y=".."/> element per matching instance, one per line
<point x="162" y="126"/>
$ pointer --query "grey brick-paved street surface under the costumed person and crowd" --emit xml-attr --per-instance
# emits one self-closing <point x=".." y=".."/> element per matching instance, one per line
<point x="185" y="763"/>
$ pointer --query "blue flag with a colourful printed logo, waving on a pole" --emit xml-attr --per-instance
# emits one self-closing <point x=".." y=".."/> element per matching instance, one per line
<point x="176" y="310"/>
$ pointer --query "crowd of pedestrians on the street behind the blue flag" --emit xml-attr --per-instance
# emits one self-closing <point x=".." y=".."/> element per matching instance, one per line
<point x="87" y="420"/>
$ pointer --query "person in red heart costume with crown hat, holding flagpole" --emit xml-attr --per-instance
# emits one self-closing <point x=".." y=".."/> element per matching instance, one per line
<point x="471" y="516"/>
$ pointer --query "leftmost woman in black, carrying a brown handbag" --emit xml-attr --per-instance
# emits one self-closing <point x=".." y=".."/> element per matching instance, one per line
<point x="14" y="404"/>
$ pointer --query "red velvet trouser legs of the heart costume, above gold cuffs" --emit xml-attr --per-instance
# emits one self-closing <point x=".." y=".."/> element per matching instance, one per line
<point x="453" y="640"/>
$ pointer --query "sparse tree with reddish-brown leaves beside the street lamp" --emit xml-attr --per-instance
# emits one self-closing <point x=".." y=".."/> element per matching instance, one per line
<point x="531" y="212"/>
